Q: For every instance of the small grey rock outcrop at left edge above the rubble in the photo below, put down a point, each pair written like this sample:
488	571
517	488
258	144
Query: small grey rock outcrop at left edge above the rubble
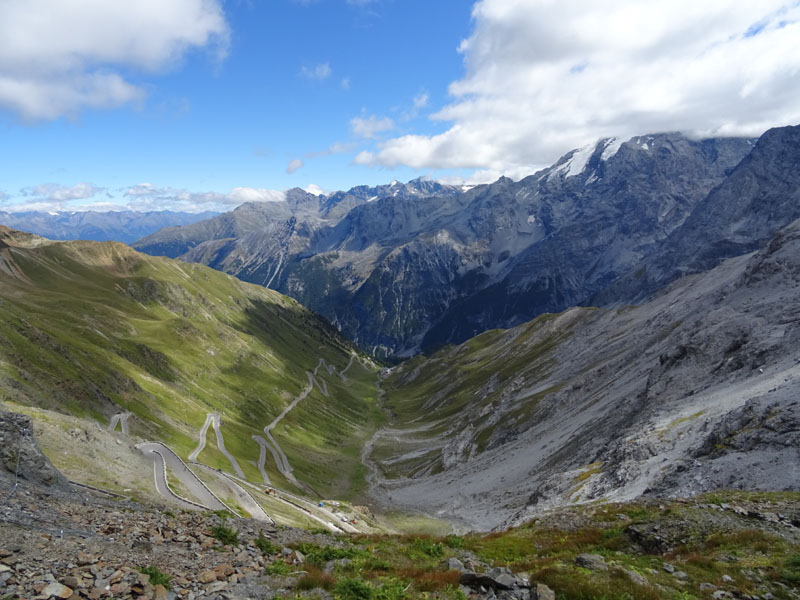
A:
19	454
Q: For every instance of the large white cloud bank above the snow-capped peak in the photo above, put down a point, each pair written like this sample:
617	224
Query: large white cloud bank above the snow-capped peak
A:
544	76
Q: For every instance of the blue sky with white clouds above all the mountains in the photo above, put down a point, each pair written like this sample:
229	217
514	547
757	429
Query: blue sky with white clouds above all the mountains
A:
205	104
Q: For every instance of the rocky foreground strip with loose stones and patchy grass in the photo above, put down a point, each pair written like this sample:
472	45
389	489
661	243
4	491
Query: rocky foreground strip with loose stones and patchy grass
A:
61	543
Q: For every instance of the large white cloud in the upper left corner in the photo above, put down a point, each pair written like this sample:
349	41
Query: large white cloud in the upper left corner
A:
59	57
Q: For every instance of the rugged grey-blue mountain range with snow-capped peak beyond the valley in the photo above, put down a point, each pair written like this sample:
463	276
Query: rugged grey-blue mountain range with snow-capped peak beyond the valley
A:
404	268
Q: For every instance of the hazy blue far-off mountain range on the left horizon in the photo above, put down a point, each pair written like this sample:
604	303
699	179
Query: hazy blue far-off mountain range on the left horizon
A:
119	226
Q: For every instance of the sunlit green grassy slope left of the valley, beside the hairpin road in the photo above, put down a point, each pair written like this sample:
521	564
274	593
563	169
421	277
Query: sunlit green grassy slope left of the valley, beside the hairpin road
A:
92	329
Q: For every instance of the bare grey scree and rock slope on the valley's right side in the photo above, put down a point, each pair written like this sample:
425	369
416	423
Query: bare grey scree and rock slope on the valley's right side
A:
694	390
